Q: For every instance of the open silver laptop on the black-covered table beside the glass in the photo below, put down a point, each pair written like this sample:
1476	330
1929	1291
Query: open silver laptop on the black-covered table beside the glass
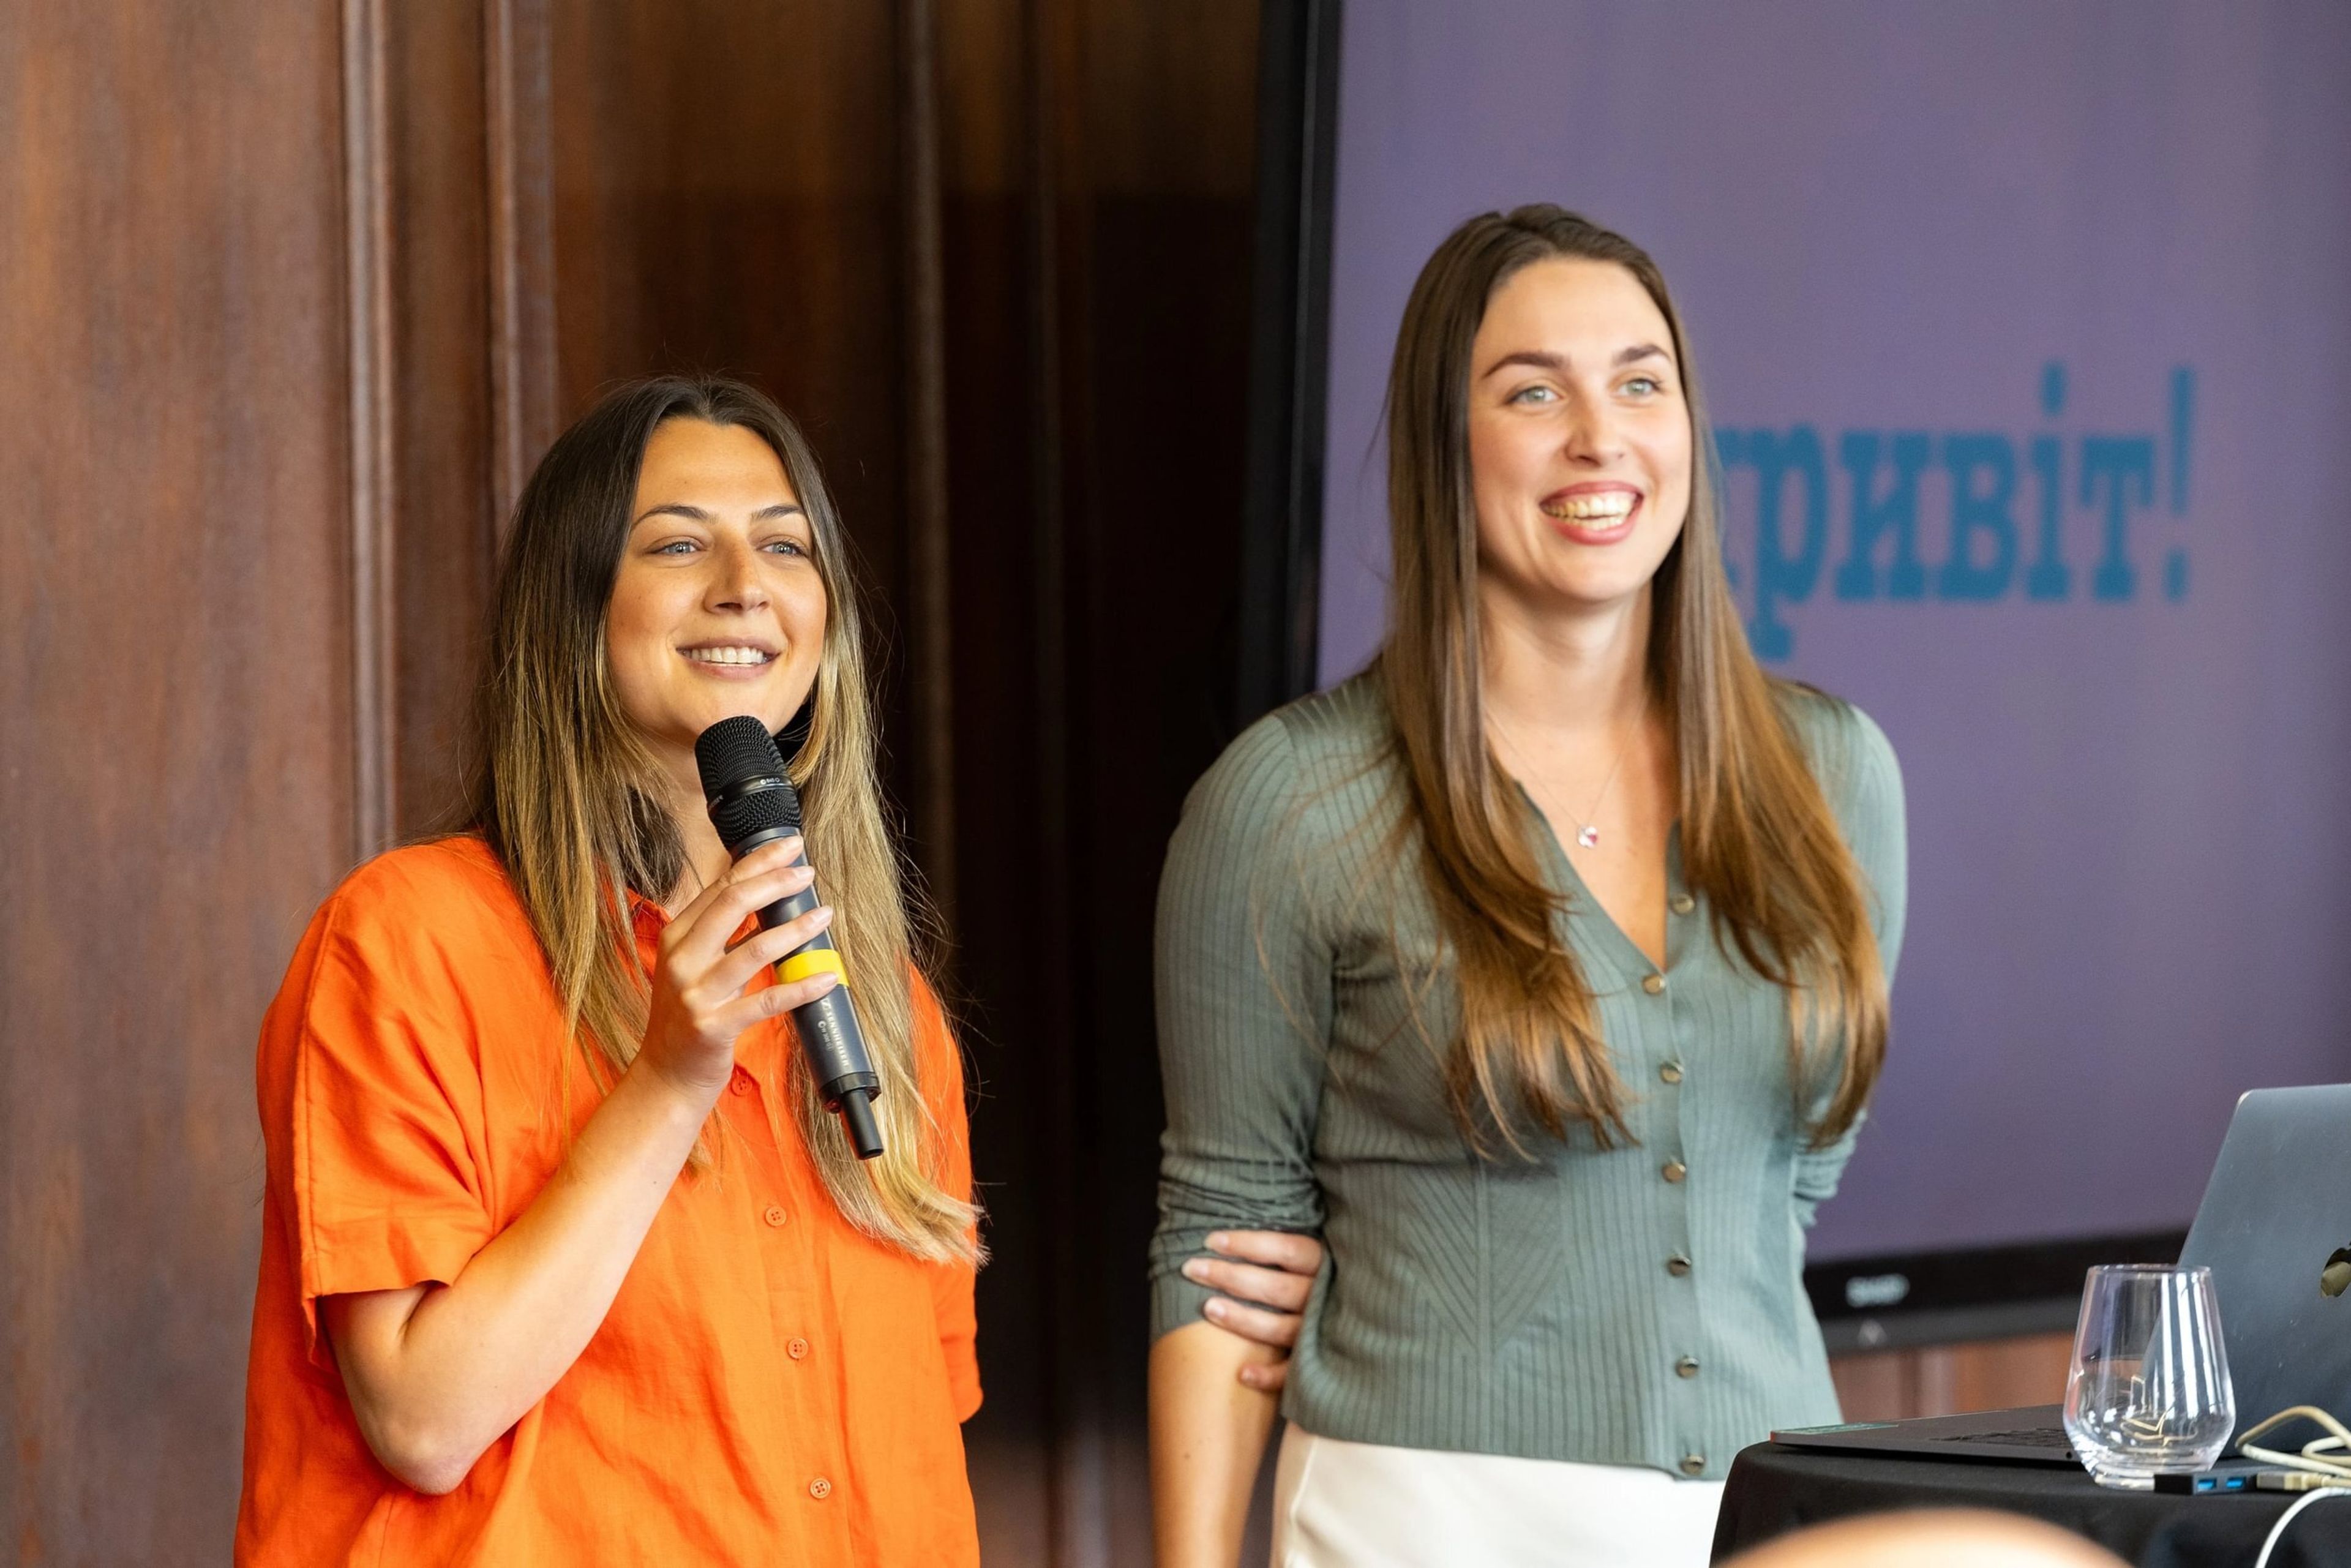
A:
2277	1233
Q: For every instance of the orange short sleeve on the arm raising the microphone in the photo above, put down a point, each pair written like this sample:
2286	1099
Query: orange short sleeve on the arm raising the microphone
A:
387	1108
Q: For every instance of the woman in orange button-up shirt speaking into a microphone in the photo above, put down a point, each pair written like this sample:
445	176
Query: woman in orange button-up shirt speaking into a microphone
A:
563	1261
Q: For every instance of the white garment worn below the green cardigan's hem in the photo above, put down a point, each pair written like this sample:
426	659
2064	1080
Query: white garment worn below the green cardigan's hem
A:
1365	1506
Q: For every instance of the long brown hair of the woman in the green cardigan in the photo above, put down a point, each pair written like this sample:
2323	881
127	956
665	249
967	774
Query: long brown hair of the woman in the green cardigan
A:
1757	836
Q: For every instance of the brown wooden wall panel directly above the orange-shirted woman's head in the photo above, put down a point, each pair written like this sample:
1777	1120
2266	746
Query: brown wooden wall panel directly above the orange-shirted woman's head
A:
730	196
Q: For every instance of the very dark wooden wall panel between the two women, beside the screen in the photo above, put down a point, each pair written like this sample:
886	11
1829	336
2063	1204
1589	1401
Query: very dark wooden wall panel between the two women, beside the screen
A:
1097	272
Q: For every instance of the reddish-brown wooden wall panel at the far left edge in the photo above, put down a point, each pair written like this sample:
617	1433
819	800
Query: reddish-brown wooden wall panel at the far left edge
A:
175	723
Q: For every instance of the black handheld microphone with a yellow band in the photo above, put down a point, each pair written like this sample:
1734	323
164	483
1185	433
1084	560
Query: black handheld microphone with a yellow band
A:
753	803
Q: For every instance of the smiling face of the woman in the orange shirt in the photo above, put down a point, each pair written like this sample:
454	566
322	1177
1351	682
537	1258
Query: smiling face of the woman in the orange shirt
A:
718	608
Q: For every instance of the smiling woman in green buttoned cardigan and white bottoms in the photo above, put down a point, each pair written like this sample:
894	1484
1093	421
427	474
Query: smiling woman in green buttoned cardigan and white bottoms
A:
1539	972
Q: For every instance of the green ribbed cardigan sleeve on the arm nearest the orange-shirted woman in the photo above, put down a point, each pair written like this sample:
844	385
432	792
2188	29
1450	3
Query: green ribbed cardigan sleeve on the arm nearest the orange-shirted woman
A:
1245	1014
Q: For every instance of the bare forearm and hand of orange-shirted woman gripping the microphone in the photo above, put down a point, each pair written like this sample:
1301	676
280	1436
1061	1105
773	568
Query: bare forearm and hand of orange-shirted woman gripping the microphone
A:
438	1372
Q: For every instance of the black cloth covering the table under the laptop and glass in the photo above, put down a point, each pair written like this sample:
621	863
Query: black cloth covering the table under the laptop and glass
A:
1779	1489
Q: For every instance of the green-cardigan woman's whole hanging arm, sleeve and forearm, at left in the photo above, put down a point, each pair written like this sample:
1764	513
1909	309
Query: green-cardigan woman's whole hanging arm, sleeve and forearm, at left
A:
1245	1014
